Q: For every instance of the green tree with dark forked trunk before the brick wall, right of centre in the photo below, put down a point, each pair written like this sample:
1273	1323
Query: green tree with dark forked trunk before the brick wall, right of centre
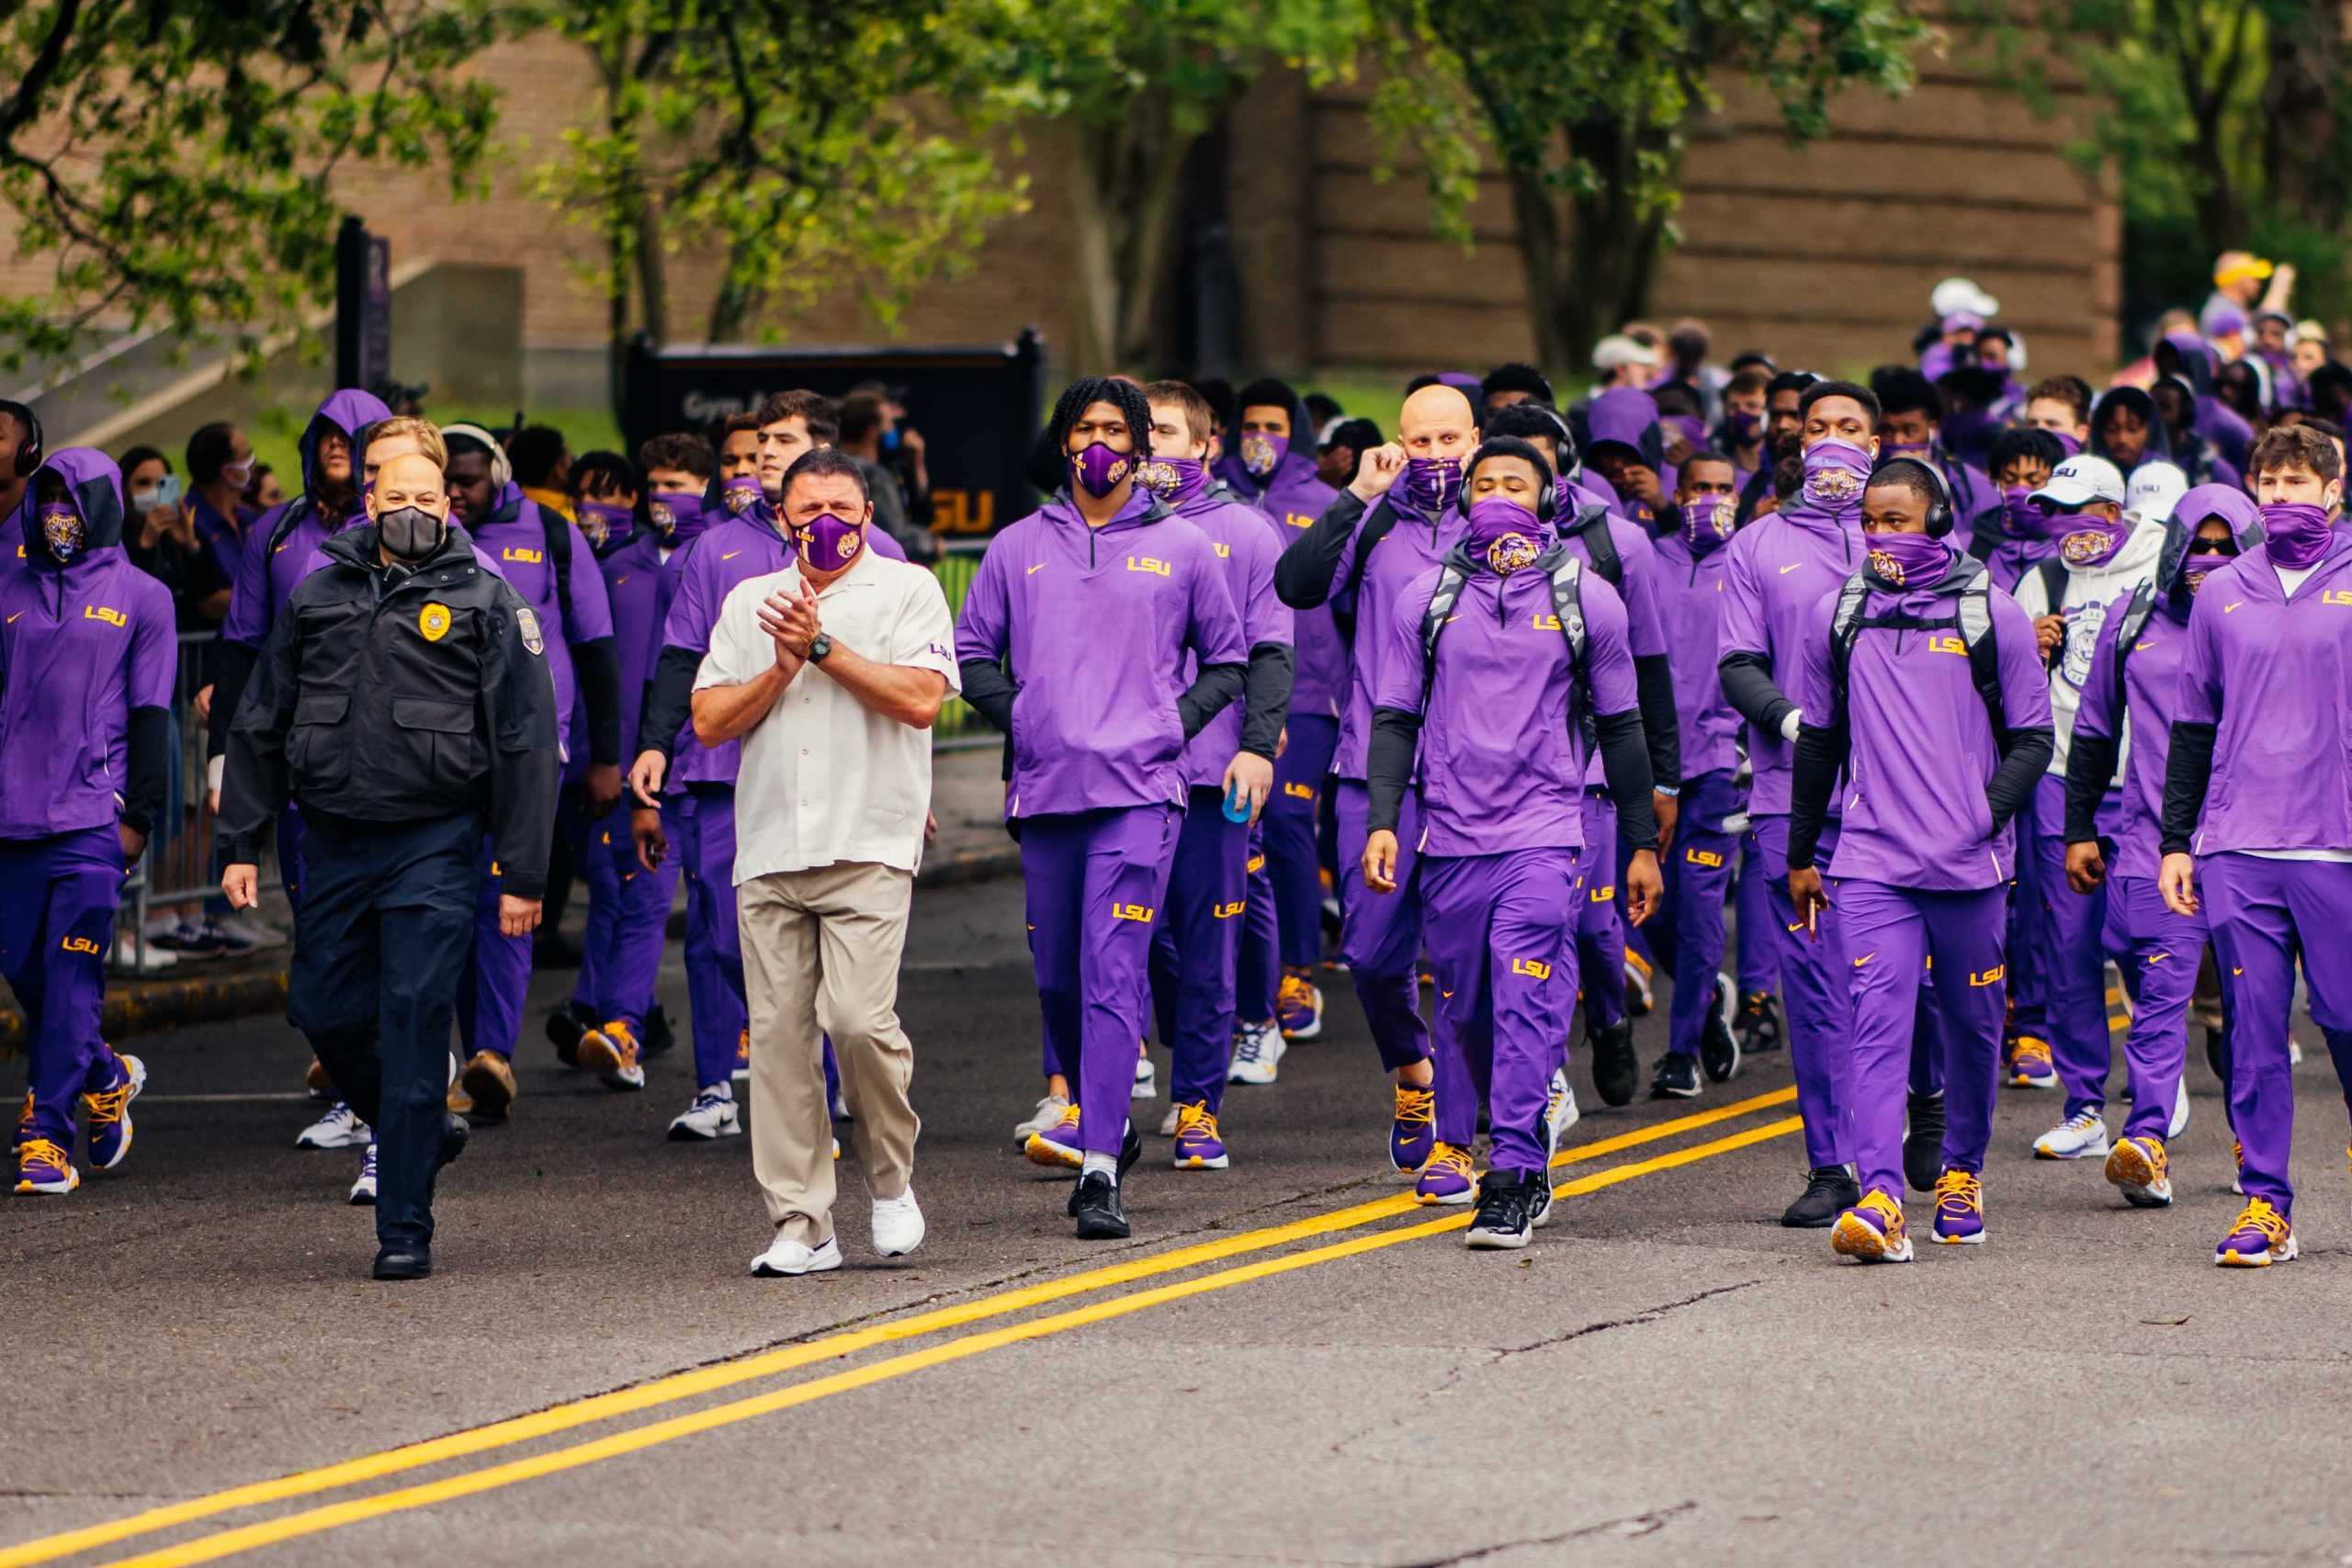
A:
1586	102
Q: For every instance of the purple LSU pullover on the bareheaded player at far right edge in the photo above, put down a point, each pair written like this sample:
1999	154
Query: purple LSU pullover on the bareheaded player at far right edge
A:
2276	681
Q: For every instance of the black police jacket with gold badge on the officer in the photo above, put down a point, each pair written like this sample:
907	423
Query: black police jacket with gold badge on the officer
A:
394	697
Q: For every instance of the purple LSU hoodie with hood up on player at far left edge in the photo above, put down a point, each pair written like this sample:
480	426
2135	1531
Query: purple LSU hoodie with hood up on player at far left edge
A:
81	648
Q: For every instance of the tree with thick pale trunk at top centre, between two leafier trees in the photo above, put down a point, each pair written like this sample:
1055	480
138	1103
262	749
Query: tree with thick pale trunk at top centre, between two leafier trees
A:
1142	86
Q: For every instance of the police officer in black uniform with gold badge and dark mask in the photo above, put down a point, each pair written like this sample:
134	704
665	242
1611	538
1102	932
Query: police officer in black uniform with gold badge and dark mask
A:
403	699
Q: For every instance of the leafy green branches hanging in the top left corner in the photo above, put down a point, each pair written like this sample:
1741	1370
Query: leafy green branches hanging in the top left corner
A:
173	159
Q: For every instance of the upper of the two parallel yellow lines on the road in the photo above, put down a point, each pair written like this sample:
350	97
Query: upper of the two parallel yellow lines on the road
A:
789	1358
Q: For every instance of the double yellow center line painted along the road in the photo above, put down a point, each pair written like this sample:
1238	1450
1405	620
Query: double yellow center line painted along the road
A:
831	1348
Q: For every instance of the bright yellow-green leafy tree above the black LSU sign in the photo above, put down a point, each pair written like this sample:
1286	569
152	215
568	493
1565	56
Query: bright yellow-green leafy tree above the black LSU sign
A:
803	145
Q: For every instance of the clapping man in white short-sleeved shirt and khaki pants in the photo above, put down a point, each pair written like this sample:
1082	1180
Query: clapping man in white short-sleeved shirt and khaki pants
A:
829	671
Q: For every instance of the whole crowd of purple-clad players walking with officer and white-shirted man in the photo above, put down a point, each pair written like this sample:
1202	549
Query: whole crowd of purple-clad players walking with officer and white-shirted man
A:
1887	723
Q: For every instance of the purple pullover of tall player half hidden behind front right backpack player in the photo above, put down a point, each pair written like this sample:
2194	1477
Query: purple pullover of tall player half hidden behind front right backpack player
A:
1777	572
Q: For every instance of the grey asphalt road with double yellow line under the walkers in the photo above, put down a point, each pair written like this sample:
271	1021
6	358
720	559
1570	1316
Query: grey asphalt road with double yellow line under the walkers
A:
1285	1365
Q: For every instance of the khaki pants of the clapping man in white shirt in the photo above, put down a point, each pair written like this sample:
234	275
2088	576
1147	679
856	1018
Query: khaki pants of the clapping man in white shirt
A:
822	956
